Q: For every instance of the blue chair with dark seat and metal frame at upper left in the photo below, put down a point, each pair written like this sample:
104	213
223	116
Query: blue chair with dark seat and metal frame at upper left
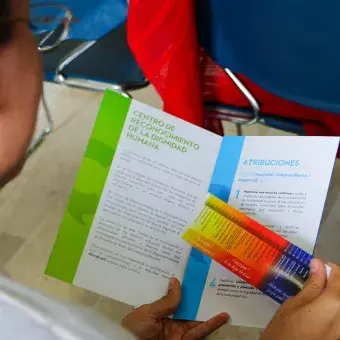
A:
84	45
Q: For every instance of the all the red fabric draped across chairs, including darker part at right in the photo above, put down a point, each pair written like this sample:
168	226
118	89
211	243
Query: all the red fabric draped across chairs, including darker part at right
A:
162	36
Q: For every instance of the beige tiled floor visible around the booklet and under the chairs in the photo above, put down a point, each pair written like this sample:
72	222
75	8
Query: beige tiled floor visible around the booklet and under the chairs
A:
32	206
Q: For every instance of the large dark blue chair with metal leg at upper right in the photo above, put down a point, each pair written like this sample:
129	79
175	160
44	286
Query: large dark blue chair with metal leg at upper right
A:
289	48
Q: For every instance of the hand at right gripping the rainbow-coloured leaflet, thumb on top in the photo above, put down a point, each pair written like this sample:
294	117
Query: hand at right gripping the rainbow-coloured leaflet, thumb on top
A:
314	314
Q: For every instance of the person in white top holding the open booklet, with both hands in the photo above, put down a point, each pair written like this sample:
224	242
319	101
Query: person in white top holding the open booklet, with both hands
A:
24	314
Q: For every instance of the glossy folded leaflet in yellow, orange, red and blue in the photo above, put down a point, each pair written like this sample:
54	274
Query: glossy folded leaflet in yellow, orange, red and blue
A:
250	250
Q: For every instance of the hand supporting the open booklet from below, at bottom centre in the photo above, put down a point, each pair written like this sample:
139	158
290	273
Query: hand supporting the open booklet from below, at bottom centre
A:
151	322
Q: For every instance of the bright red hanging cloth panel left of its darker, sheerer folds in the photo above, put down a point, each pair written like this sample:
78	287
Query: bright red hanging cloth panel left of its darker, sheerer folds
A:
162	36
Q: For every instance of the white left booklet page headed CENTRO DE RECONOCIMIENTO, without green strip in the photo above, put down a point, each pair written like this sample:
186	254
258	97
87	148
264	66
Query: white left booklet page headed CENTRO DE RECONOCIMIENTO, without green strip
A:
149	198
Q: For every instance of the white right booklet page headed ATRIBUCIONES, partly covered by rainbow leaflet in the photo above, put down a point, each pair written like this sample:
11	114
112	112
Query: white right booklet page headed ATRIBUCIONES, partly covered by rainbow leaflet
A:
288	199
